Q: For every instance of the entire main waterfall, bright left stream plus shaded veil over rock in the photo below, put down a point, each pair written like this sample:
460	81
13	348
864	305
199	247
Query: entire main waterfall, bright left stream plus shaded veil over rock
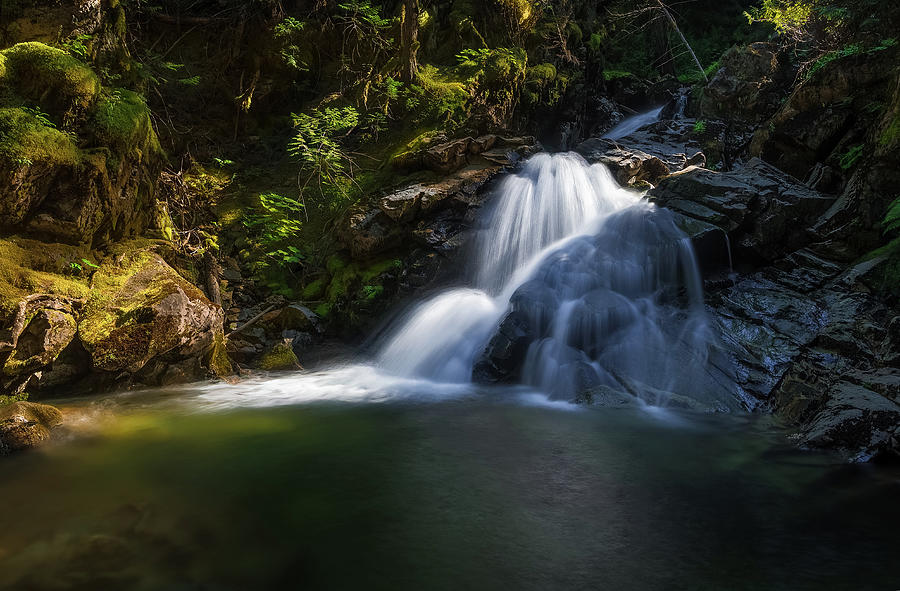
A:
601	288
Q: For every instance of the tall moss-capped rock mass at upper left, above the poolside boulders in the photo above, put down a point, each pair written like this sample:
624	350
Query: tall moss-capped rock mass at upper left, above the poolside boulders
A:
78	162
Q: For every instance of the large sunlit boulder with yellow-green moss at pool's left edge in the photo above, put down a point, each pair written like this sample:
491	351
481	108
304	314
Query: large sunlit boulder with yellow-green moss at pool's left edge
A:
141	310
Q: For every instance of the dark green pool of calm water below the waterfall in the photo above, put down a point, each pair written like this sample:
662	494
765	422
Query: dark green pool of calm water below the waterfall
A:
474	493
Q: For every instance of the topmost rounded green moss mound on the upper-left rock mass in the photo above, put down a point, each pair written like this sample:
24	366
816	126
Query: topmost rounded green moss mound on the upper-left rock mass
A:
51	78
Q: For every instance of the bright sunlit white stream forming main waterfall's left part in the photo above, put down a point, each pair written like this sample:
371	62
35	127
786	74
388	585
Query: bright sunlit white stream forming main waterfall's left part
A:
553	198
